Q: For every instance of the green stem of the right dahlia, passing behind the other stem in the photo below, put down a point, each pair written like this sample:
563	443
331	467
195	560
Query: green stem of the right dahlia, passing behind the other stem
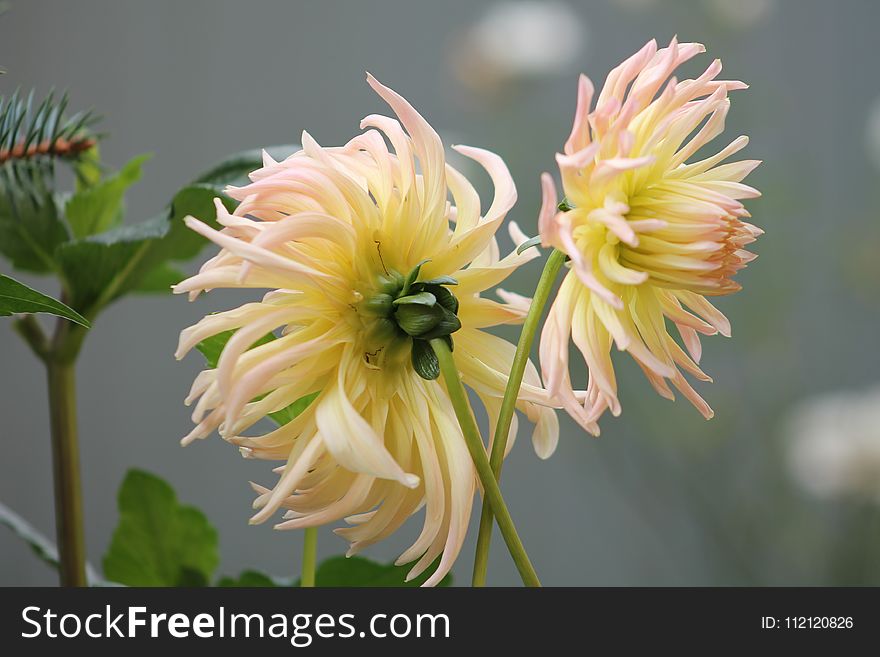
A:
508	405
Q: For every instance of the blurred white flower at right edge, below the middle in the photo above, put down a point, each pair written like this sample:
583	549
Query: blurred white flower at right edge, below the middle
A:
833	444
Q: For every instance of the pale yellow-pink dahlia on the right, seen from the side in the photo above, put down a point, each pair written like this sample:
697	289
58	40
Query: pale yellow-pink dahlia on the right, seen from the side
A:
649	235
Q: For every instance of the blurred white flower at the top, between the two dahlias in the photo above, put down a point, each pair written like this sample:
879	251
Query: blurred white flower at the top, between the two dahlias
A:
519	40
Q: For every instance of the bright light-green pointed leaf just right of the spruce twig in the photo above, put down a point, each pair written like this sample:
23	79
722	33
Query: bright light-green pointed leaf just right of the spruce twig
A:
100	207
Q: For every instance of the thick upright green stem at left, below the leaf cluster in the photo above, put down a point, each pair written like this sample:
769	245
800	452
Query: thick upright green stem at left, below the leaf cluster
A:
65	463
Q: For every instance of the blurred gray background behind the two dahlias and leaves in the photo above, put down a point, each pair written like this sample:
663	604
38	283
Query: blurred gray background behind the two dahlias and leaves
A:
663	497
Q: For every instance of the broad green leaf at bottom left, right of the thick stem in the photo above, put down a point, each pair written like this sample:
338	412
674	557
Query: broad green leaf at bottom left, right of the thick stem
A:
158	541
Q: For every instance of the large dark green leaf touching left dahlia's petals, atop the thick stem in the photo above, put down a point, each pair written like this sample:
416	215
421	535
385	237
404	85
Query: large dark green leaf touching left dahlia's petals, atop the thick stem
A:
103	267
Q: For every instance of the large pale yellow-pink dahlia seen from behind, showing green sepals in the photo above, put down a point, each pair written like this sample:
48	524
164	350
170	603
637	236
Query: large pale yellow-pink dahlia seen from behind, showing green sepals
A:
366	260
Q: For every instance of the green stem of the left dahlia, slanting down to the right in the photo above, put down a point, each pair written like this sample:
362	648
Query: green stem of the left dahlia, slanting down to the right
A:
491	490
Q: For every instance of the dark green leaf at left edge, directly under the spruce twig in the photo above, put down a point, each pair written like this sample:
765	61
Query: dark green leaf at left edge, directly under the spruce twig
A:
30	228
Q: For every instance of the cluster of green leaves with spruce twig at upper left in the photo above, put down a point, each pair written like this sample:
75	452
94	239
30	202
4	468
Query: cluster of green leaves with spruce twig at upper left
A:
82	239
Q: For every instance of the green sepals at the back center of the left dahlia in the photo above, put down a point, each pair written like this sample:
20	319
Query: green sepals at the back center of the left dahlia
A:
404	314
